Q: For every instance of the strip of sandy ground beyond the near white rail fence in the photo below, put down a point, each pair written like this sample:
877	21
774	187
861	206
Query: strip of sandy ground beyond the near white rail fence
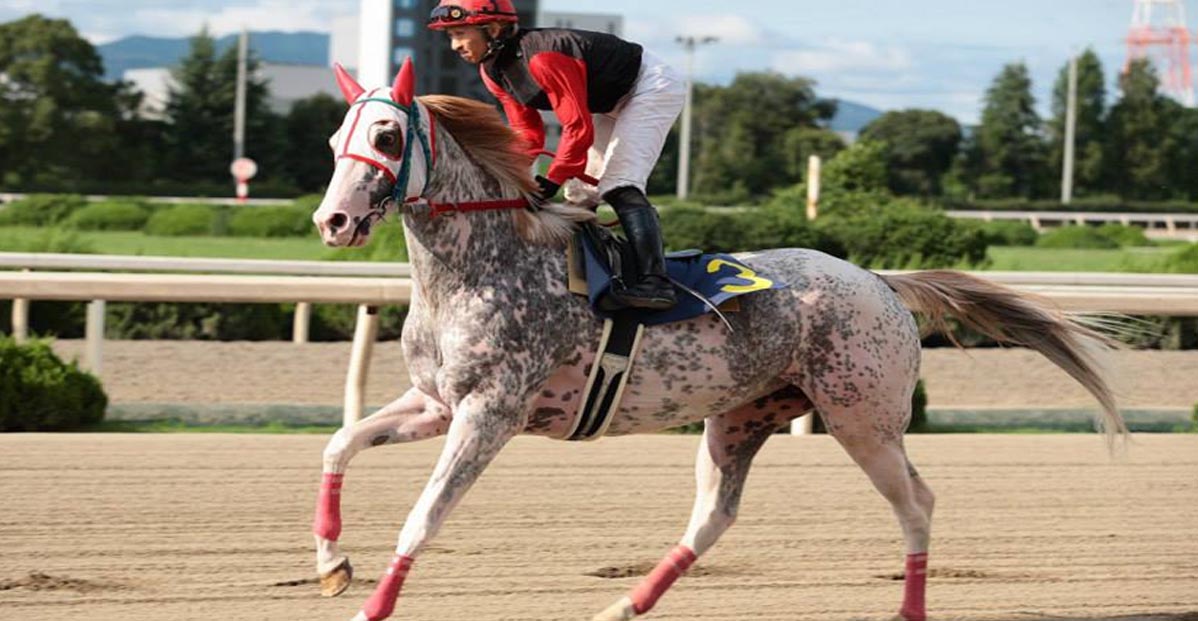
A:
314	375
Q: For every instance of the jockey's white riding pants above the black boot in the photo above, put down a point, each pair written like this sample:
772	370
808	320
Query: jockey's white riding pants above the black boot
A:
628	140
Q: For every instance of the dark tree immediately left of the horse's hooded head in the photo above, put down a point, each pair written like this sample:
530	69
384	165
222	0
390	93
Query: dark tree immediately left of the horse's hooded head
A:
308	126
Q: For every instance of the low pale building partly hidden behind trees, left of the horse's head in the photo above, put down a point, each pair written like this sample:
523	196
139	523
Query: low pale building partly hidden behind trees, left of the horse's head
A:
287	85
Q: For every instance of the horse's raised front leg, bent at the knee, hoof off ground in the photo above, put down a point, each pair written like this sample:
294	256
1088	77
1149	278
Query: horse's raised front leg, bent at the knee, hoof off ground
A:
414	417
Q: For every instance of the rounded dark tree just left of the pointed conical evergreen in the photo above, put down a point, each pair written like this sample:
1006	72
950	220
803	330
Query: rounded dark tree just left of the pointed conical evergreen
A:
921	147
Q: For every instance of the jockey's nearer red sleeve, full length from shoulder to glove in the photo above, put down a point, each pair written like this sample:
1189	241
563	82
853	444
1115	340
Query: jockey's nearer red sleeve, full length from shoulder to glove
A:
565	81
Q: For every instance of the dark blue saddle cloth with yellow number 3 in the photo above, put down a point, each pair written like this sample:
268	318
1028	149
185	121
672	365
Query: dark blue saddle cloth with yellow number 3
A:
717	278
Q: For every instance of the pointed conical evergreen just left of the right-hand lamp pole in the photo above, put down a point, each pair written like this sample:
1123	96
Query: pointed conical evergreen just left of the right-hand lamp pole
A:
1011	153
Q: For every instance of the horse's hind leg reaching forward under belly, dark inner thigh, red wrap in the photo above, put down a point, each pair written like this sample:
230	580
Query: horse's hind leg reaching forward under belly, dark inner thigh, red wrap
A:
730	443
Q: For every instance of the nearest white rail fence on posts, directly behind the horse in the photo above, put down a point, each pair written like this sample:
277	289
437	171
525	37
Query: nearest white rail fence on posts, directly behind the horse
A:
27	278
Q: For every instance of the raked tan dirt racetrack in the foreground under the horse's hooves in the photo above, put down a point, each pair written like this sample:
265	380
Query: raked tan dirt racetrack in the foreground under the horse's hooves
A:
216	528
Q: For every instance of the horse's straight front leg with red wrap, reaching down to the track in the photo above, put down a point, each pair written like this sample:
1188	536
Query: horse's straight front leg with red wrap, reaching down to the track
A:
482	426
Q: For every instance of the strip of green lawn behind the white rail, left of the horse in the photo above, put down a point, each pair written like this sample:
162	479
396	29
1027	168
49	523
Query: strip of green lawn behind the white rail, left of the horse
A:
135	243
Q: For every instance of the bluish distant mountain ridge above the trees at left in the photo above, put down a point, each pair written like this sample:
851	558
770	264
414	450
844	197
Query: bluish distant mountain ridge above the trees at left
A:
140	52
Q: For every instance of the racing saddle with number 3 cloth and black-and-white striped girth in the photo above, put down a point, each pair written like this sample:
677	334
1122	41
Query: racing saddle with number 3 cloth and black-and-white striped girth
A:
597	260
